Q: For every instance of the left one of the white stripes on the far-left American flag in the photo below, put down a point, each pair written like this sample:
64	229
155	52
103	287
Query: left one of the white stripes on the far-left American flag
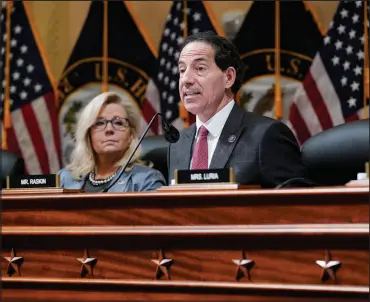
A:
21	132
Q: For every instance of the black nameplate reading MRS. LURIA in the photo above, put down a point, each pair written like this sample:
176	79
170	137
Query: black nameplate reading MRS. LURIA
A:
204	176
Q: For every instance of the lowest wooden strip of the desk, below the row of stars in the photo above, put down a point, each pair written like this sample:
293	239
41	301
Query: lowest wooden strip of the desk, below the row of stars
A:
75	290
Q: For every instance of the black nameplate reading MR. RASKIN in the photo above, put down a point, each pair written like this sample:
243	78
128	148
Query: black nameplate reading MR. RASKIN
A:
33	181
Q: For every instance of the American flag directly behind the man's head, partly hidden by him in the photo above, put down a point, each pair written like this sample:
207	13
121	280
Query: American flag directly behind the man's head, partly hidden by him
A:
198	18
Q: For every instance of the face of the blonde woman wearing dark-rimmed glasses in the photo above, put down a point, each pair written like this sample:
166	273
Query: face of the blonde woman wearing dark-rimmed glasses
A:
111	134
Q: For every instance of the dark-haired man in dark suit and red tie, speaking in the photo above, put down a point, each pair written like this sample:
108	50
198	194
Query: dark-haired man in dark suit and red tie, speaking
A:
261	150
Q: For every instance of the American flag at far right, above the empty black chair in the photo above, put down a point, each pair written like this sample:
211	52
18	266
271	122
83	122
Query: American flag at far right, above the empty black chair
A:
333	90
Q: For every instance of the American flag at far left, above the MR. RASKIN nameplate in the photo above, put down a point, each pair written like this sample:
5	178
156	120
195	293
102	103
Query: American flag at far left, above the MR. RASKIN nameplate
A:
34	132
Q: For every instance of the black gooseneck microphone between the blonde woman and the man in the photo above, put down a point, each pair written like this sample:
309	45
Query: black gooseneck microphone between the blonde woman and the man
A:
171	134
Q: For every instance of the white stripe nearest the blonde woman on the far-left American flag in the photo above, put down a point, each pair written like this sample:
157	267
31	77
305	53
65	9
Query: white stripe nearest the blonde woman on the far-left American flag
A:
43	118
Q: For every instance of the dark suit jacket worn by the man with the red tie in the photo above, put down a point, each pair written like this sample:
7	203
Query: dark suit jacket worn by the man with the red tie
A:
264	151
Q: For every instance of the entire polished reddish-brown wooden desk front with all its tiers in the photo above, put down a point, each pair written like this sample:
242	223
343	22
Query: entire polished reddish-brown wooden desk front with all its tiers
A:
284	232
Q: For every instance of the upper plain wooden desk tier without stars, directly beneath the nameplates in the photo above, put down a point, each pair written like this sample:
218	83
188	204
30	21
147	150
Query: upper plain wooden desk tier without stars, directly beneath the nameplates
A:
322	205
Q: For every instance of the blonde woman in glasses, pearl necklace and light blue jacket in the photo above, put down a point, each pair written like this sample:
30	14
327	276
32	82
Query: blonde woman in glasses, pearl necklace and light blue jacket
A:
105	136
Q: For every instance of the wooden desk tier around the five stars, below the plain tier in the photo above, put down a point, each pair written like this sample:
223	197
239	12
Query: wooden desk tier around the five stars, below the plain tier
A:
285	256
